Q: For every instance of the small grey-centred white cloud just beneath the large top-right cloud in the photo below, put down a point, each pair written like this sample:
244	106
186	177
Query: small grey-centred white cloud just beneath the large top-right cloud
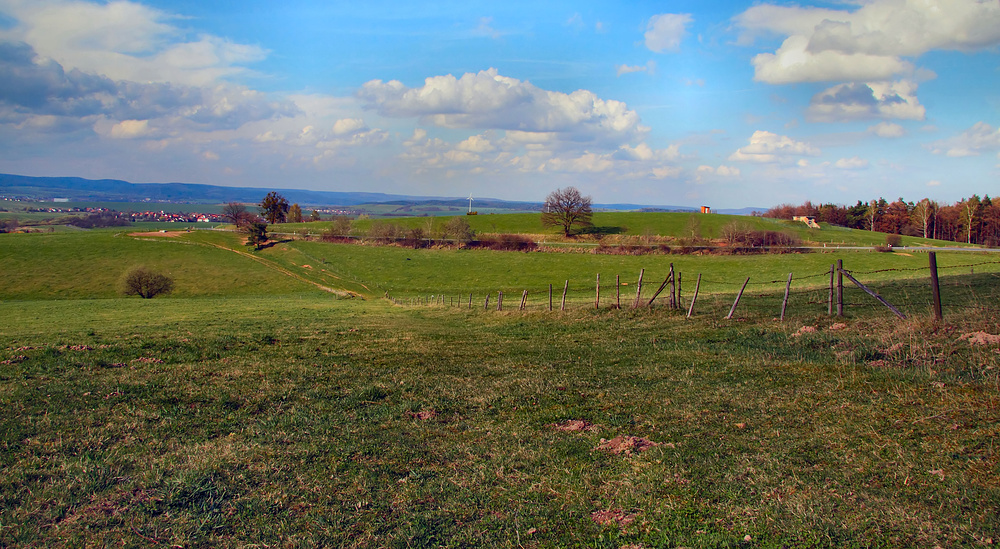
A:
844	102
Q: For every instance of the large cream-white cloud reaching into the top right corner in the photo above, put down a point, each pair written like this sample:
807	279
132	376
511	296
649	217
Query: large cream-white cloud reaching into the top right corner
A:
867	44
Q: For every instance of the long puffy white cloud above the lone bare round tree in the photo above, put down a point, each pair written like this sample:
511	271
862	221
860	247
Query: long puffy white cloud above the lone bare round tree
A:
489	100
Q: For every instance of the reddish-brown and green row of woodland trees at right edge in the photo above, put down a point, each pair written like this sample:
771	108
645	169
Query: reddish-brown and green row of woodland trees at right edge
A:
972	220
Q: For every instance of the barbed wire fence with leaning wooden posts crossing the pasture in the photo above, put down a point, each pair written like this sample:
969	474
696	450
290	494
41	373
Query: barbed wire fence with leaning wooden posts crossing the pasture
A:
961	287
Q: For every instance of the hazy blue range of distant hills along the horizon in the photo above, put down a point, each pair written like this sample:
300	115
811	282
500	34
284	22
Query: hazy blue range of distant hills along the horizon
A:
78	189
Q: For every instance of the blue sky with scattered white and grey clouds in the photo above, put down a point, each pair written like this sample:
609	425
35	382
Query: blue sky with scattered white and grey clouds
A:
725	103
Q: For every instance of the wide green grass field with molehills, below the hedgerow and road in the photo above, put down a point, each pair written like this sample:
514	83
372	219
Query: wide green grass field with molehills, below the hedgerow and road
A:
253	408
